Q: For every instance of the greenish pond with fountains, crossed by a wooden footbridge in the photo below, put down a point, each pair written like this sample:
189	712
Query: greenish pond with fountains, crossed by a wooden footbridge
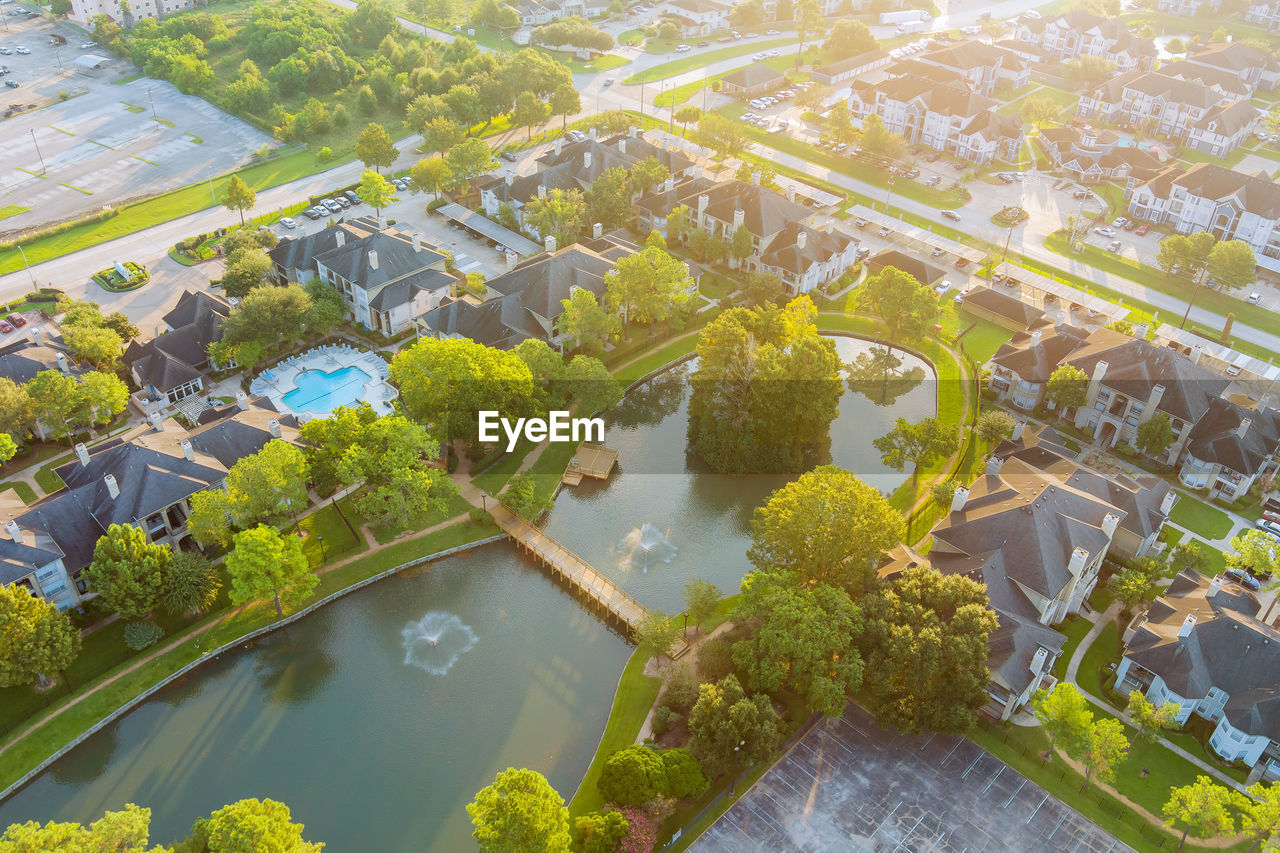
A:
378	718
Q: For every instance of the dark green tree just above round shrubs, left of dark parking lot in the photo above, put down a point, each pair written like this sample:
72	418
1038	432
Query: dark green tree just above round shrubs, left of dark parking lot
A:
730	731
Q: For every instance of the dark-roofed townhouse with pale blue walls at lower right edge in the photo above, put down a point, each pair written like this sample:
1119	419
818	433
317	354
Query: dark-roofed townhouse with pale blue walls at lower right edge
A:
1204	647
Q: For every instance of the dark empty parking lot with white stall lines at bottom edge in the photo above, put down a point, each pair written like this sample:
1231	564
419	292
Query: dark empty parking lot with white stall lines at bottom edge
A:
854	787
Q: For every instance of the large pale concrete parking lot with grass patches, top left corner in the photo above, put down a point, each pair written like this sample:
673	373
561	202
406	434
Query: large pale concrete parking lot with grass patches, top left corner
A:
102	145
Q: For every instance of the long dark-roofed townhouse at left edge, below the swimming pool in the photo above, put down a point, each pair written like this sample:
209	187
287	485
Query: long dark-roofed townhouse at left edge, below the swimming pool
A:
144	478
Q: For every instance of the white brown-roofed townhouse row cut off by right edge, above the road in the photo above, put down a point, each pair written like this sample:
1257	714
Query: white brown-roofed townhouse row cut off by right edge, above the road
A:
1228	204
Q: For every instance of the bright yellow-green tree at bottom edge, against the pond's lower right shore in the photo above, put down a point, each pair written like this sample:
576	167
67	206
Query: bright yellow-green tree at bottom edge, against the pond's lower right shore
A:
520	813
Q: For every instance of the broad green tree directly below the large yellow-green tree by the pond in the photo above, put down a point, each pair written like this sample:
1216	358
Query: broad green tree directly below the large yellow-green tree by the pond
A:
799	638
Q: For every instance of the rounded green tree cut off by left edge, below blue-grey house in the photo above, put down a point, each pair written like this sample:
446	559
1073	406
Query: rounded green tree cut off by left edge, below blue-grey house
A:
36	640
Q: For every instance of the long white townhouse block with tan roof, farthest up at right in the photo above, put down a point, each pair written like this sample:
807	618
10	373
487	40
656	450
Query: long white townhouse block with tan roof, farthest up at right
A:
1187	111
